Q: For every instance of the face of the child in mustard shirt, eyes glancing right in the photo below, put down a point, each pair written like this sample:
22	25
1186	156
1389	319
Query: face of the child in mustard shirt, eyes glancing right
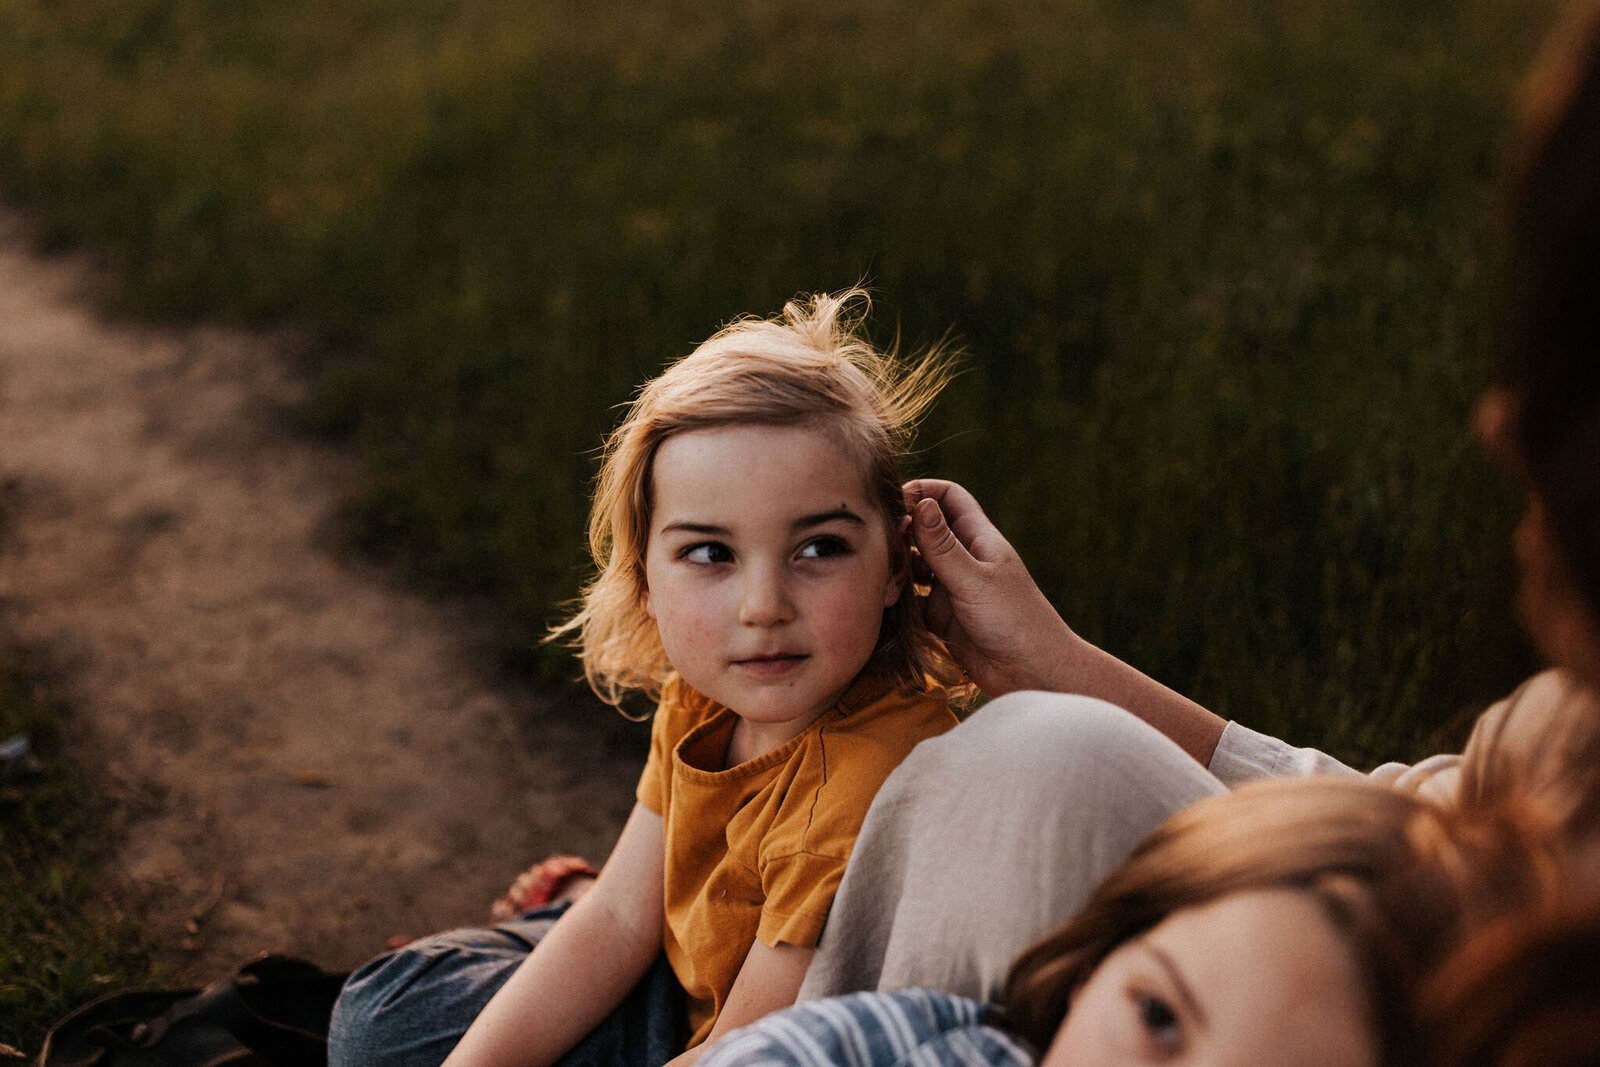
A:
769	570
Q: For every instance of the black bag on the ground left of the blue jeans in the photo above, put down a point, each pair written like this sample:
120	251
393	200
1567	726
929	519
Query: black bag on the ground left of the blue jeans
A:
271	1013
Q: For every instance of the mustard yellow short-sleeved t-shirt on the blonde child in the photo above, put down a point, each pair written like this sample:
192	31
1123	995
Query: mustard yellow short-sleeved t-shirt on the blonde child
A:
758	850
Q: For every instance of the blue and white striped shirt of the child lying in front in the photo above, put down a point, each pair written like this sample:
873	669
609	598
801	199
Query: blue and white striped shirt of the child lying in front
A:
911	1028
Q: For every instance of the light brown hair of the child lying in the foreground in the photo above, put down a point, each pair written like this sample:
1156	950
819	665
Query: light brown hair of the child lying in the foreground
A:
1398	876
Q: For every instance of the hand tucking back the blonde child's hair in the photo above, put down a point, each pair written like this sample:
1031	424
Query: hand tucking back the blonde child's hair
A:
983	602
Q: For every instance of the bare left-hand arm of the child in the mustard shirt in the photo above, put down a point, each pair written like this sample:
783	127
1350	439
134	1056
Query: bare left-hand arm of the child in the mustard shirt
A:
585	965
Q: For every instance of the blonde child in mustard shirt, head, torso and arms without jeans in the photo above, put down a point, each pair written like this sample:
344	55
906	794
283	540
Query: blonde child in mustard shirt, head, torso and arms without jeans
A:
754	577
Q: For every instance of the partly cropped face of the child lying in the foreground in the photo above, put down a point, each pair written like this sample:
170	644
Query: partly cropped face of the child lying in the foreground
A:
1254	978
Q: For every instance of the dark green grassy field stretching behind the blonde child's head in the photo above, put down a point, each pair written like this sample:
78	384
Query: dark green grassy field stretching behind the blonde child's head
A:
1218	265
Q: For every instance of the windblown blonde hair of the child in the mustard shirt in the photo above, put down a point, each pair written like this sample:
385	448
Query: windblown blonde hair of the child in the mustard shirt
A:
810	366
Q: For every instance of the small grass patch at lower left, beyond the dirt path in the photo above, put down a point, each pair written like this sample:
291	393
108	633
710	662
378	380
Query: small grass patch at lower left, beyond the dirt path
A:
62	938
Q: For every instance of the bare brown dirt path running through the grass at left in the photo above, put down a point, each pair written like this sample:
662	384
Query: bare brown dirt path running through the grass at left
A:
306	757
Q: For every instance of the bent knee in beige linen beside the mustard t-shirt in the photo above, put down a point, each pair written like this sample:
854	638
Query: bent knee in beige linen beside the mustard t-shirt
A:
991	836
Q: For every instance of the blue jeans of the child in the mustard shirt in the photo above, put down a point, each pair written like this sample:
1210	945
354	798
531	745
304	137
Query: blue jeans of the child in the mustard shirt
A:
410	1007
